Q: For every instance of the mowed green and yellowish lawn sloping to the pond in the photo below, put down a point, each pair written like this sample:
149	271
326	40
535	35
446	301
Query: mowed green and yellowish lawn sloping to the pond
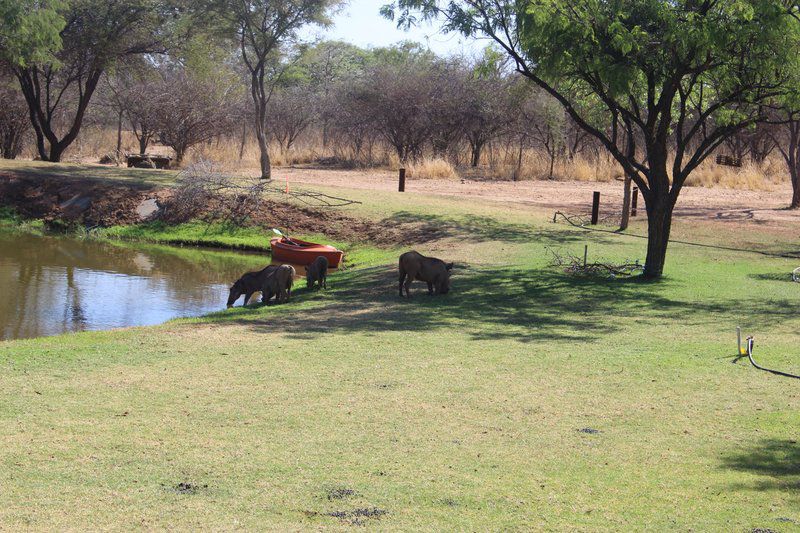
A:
524	399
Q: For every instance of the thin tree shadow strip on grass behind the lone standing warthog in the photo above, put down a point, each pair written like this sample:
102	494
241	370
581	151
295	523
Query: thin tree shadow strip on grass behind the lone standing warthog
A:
482	228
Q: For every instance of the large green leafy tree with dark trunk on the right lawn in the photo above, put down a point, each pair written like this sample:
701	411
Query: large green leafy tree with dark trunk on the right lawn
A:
681	75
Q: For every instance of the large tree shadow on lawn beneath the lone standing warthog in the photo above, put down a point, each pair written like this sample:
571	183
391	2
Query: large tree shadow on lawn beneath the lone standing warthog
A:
499	303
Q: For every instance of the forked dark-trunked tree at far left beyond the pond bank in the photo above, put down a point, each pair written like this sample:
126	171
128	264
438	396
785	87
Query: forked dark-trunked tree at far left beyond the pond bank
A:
59	80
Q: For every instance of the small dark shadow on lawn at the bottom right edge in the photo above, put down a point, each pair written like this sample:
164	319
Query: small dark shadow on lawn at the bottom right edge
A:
778	461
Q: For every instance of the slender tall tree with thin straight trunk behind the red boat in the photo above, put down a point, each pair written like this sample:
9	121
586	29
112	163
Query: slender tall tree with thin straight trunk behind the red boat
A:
264	29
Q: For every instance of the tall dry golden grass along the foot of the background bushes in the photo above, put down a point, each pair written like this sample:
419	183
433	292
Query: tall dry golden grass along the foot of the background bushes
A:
498	162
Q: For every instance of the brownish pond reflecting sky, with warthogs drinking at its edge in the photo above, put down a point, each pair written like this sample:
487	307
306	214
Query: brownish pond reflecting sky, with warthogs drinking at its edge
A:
51	285
